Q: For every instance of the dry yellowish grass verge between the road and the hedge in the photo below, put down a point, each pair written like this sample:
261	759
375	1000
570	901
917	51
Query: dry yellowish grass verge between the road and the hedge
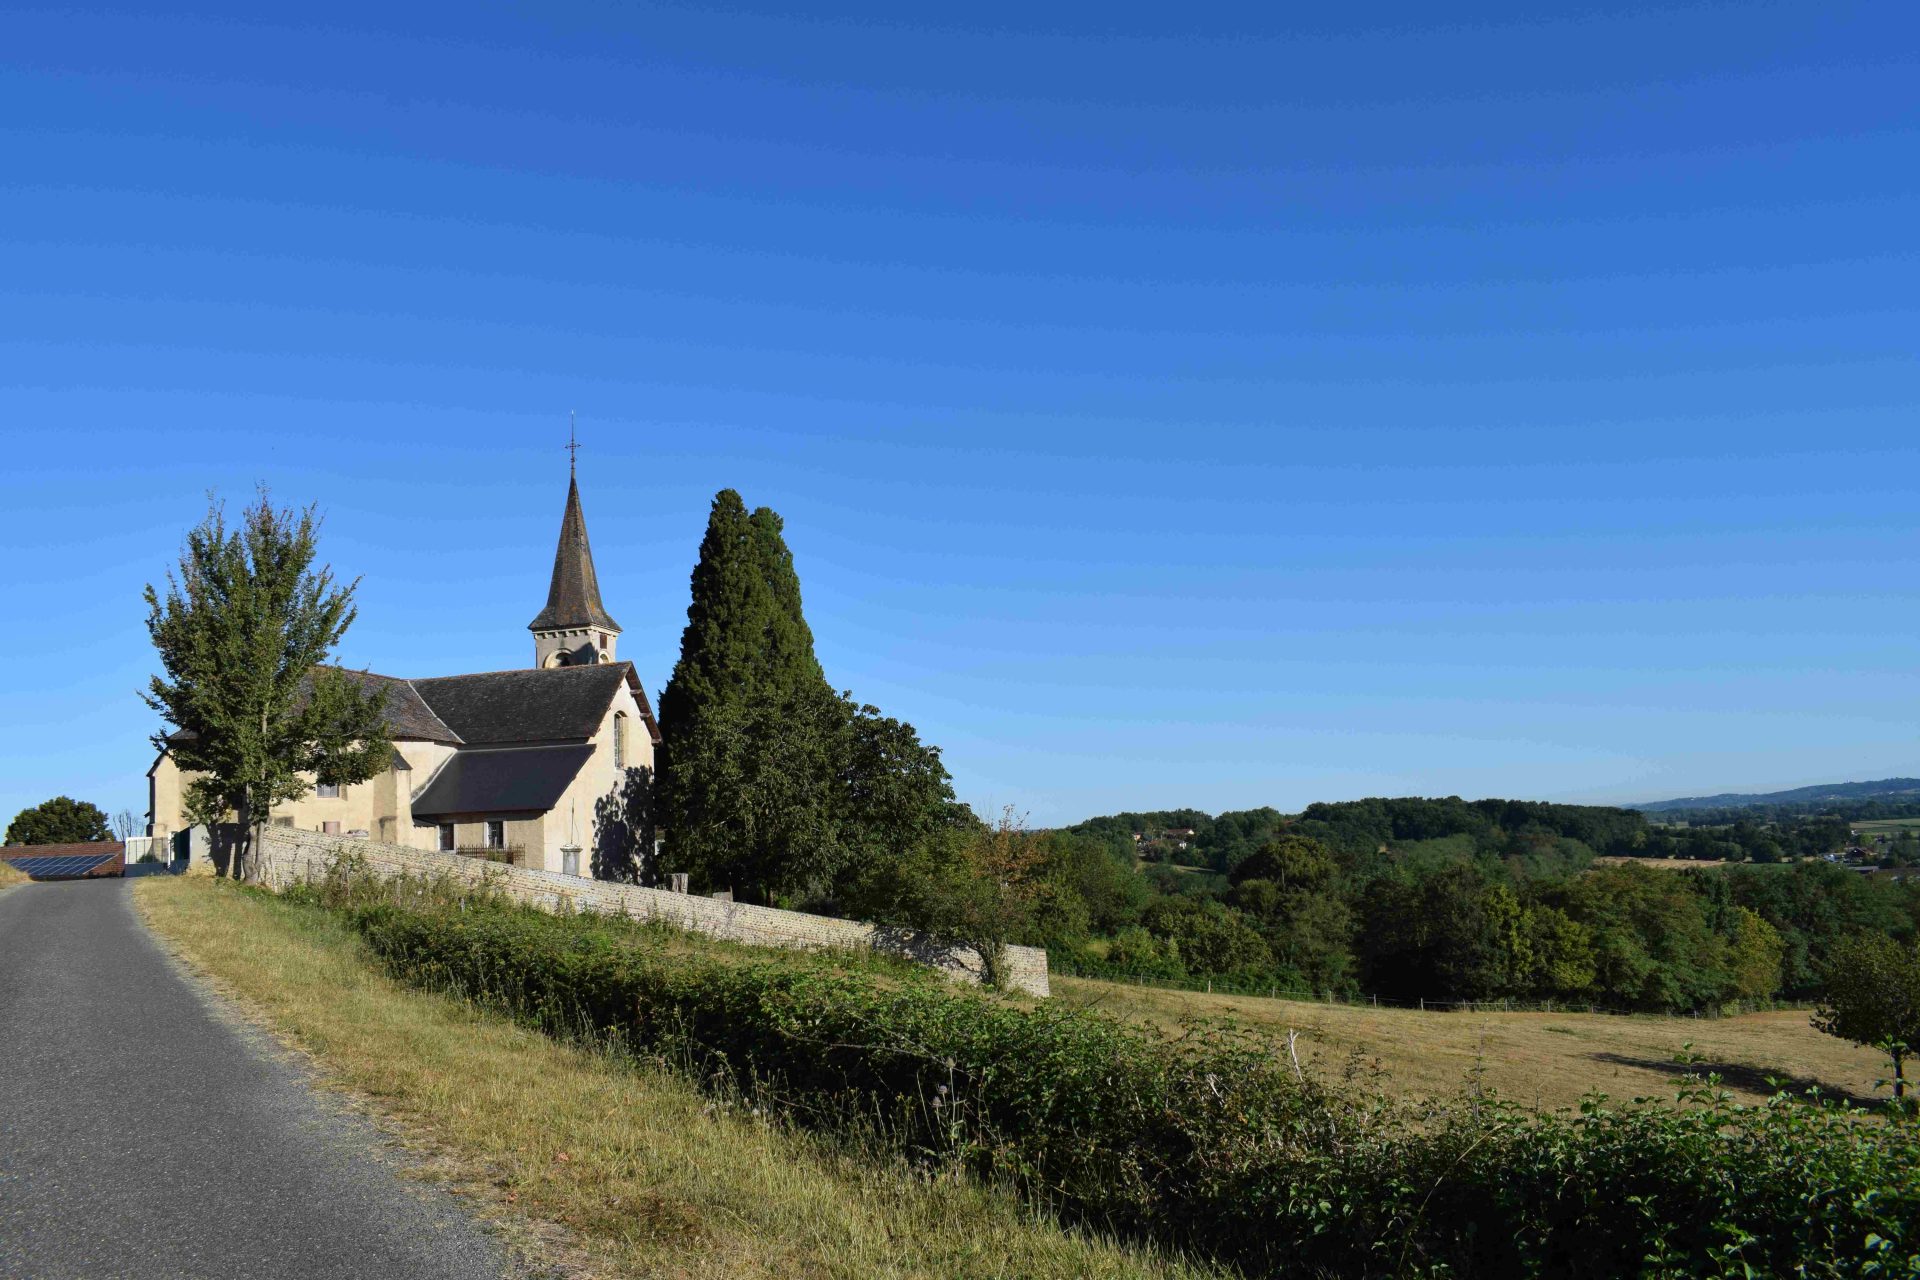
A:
598	1168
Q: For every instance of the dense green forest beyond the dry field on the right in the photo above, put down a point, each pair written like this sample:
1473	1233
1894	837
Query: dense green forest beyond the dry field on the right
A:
1447	899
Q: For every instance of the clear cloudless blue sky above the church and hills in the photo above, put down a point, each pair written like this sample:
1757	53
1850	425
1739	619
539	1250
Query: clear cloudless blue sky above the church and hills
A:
1209	406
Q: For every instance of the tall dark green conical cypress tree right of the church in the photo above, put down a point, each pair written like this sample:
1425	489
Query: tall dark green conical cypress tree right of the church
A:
748	721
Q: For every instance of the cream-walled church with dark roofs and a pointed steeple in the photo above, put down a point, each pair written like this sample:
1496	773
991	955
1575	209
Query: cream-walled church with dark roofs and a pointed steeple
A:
539	767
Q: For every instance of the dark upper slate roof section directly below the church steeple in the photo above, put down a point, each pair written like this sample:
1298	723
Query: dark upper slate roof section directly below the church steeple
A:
529	705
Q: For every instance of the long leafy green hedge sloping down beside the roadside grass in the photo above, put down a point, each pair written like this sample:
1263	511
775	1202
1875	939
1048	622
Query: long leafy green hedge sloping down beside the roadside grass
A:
1209	1143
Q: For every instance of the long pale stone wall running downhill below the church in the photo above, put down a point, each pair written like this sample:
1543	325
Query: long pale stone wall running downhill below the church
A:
291	857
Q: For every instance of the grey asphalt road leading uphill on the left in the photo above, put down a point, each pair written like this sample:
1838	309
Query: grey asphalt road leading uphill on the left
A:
143	1135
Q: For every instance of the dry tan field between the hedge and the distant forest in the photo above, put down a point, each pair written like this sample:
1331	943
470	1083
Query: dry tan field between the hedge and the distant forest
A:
1543	1060
